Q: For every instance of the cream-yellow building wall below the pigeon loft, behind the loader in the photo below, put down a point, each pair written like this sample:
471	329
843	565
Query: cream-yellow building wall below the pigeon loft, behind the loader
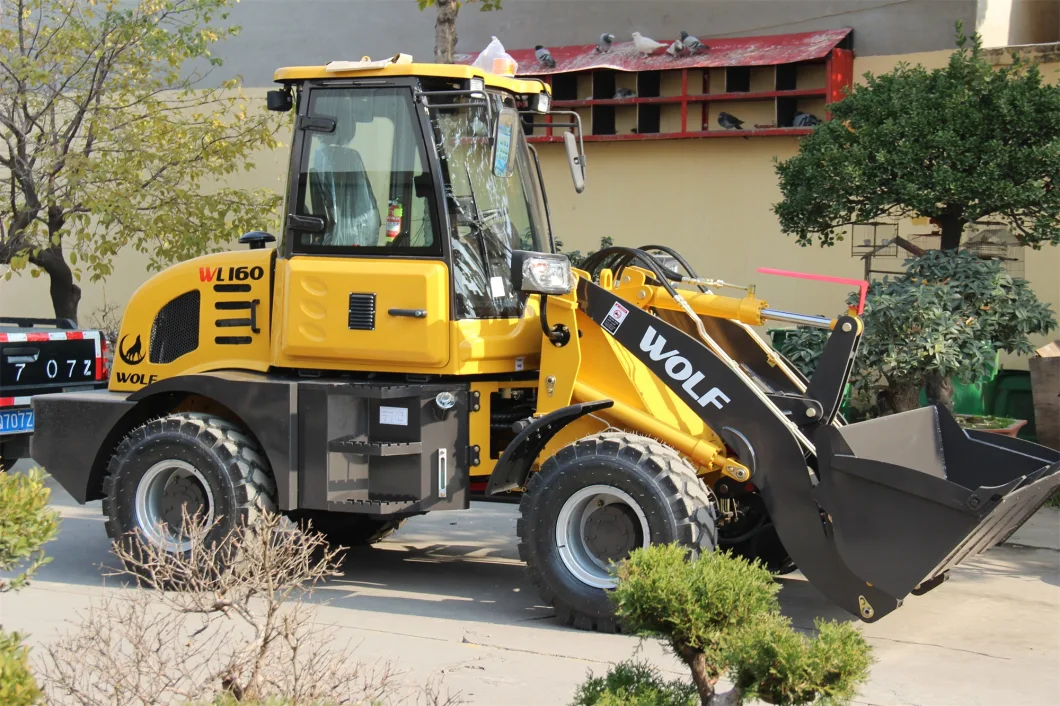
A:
710	199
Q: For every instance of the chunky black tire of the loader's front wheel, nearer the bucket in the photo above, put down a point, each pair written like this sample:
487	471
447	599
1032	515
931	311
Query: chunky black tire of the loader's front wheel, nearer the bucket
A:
687	496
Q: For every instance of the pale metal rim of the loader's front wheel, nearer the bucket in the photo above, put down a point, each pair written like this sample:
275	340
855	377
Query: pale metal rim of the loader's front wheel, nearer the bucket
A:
598	525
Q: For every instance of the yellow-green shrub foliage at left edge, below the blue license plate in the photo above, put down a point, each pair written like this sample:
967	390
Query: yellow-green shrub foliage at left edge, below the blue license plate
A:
26	524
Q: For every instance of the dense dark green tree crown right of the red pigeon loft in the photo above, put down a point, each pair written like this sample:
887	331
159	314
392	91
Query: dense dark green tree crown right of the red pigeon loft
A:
956	145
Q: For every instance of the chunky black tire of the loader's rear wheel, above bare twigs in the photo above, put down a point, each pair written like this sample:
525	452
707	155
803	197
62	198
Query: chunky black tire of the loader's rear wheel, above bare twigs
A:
244	462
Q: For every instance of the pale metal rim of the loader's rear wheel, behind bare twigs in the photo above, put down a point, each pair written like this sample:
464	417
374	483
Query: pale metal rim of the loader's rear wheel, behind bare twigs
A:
165	491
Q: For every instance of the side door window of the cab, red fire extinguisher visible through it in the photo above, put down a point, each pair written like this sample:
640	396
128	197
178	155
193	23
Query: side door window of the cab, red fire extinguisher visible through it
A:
367	179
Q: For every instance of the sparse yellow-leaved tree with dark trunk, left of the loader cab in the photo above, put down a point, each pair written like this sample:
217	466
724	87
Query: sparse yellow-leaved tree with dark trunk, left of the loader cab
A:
109	138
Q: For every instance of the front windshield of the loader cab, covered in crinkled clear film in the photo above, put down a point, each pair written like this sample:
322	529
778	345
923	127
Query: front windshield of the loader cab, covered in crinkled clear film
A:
491	216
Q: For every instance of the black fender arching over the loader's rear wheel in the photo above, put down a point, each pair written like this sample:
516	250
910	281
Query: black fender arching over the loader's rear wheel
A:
268	407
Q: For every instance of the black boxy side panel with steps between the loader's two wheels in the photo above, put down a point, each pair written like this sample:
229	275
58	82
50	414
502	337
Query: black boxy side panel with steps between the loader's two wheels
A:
383	450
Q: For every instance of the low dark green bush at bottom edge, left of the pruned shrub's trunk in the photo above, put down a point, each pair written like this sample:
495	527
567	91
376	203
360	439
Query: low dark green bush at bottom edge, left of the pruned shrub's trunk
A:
634	684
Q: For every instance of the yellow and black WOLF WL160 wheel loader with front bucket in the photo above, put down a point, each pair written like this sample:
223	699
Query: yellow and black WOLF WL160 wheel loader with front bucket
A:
414	343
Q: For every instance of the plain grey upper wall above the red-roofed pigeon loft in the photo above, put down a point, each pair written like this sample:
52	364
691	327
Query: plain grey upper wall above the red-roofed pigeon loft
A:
299	32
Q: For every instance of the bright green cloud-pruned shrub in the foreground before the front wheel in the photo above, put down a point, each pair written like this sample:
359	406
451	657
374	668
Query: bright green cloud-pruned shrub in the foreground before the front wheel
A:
721	617
